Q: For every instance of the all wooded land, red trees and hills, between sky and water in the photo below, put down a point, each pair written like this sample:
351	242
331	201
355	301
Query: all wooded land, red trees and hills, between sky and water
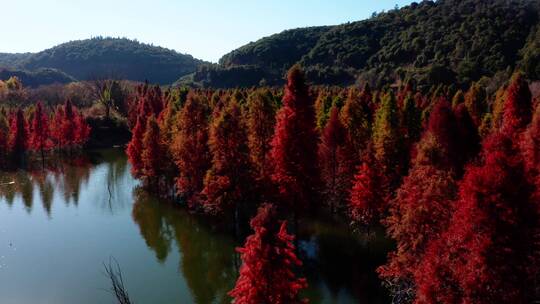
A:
422	121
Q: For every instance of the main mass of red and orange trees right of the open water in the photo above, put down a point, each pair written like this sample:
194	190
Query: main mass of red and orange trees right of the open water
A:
452	175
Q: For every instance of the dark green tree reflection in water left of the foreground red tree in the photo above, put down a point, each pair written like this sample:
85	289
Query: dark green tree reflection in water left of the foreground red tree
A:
208	260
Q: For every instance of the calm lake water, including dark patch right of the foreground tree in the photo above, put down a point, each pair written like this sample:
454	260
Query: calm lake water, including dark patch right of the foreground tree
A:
57	229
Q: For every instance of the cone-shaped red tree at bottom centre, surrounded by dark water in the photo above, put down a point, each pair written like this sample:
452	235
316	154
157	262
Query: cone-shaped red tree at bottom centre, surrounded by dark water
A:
268	262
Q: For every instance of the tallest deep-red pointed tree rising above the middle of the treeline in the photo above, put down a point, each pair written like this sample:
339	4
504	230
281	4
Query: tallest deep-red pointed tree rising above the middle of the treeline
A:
294	145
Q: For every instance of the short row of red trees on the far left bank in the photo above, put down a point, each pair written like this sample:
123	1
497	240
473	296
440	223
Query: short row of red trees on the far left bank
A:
37	133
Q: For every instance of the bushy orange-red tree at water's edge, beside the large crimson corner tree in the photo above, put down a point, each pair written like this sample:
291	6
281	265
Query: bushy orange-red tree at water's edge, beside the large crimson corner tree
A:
419	213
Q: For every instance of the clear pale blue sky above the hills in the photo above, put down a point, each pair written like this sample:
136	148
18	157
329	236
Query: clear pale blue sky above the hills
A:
206	29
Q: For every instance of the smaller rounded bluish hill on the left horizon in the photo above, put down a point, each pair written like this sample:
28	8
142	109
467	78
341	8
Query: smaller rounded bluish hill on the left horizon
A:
108	57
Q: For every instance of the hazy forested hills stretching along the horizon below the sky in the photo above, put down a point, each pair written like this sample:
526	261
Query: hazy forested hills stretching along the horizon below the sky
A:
446	41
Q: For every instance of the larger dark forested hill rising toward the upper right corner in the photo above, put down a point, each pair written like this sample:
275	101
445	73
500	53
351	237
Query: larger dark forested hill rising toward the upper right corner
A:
447	41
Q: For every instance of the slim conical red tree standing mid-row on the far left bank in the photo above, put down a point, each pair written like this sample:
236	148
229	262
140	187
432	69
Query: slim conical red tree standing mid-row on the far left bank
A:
40	135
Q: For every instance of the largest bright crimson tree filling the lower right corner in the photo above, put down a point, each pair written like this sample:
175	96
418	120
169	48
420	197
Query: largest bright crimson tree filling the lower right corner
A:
487	254
